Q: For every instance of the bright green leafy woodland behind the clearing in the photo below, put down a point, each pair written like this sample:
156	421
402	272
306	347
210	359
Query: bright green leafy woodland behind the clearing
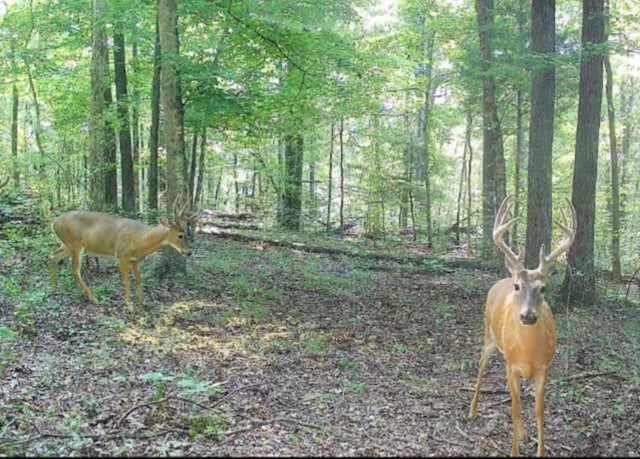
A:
332	116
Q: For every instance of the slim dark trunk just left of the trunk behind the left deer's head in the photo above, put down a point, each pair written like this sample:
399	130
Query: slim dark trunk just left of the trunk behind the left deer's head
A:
152	173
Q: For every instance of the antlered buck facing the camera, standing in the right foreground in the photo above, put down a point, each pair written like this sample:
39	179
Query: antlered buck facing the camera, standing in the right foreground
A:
519	322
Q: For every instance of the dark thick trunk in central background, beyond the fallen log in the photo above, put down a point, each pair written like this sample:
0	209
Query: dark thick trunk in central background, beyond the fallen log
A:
292	208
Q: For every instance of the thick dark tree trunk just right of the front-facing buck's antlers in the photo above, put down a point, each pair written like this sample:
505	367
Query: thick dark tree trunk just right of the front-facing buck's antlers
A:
580	280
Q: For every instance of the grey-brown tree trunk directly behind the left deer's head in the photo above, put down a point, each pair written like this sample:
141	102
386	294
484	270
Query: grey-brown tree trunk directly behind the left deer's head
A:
174	119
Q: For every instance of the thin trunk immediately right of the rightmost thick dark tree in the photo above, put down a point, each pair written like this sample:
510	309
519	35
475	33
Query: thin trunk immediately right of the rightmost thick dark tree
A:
616	268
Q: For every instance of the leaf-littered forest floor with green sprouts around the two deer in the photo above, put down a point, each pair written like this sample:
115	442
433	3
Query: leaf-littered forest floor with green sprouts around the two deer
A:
264	350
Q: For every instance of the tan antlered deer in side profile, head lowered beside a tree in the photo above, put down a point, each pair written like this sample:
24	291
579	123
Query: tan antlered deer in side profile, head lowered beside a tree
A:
129	241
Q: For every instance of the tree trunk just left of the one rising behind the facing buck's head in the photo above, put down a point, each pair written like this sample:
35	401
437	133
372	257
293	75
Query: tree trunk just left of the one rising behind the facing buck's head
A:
493	167
